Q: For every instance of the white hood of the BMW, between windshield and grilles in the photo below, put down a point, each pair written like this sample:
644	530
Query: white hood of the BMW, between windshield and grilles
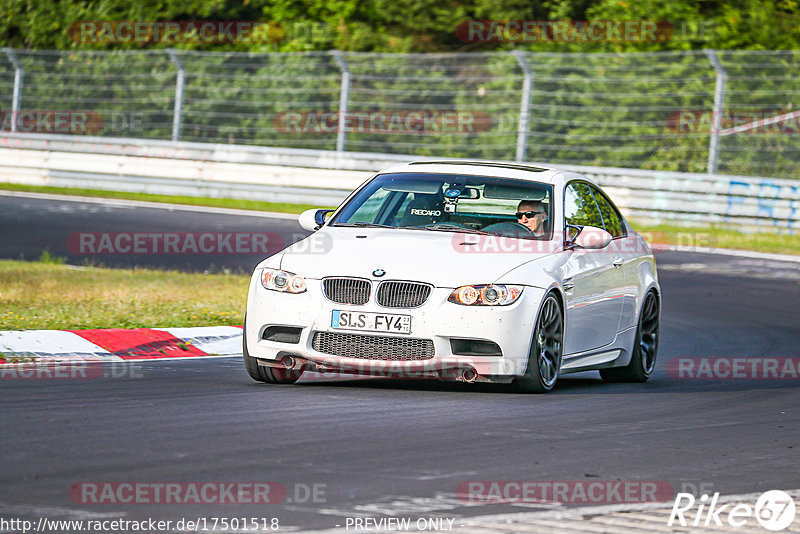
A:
443	259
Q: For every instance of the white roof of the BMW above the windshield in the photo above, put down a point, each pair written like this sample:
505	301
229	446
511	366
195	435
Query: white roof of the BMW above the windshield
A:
498	169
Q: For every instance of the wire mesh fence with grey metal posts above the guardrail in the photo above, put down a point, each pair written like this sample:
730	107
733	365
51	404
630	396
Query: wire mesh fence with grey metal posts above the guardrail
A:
731	112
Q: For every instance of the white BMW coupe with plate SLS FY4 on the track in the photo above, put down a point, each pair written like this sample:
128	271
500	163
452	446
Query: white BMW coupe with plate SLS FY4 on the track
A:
459	270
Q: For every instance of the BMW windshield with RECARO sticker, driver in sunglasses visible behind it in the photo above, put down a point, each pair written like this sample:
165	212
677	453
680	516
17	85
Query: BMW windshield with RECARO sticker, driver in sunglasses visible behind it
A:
452	203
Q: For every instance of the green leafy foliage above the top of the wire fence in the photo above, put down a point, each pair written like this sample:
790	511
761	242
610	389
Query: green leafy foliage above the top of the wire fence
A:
413	25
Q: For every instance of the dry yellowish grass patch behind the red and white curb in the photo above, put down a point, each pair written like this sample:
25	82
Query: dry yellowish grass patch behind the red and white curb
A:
53	296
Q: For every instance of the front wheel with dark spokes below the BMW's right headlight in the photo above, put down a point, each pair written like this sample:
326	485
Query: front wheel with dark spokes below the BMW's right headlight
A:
544	356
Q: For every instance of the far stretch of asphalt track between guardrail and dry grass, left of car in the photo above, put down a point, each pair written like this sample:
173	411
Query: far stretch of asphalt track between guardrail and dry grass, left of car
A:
30	225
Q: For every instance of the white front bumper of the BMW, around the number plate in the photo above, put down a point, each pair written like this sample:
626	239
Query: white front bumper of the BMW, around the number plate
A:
438	320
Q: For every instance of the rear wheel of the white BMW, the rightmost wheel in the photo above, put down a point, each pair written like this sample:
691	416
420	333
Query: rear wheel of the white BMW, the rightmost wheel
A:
645	346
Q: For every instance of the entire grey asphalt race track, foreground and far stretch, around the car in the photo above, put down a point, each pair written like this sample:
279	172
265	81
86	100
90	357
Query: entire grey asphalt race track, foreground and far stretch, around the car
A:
399	447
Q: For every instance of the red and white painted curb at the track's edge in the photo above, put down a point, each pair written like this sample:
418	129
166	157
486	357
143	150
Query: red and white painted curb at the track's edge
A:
119	344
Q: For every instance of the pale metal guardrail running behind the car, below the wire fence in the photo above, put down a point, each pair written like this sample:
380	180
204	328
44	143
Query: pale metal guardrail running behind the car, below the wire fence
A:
325	177
